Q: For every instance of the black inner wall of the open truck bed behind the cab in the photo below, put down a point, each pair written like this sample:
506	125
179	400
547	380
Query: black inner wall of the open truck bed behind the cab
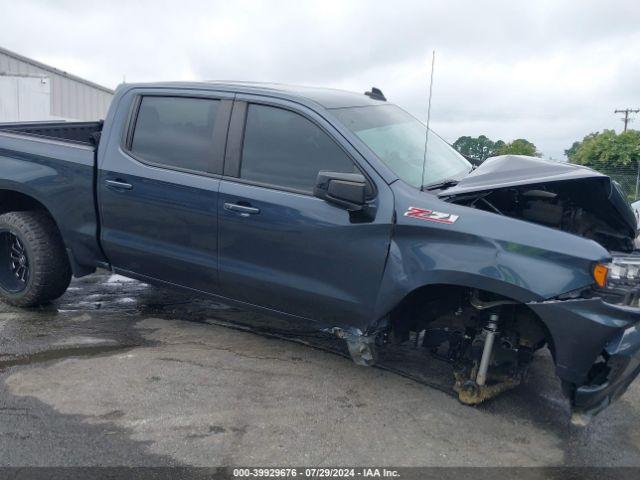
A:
86	133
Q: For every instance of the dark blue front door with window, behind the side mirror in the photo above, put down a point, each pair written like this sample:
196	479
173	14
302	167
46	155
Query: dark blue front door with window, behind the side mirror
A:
279	246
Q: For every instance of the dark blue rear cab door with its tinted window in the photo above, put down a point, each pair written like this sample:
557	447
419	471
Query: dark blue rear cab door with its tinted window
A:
158	187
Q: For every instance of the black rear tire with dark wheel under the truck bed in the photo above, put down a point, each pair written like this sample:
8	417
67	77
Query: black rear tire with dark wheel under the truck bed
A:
34	268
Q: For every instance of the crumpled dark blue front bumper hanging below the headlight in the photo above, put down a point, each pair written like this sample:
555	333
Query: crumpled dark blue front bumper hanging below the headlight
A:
596	347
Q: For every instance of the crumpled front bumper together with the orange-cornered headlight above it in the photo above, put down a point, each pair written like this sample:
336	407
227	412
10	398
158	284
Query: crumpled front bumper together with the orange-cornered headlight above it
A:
596	336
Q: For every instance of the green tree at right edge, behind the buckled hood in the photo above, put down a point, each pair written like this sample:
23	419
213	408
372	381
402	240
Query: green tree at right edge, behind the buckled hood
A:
608	151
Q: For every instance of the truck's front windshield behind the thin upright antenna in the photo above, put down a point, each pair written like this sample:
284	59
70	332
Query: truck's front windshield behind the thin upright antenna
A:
398	140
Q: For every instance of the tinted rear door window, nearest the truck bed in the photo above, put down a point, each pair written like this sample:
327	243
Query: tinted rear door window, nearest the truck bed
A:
175	132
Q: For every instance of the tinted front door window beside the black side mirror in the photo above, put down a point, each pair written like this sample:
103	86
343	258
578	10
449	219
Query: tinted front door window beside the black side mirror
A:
284	149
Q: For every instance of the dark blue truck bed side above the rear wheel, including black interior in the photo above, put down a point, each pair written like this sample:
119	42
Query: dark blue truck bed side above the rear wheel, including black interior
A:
53	163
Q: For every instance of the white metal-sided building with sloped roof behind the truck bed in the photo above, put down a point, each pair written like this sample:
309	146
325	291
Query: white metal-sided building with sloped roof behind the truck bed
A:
30	91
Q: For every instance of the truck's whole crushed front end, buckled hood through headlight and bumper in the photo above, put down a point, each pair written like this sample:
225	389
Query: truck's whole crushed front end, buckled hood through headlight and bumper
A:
593	332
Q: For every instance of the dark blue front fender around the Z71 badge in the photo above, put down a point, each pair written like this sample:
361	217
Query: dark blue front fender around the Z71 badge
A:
517	259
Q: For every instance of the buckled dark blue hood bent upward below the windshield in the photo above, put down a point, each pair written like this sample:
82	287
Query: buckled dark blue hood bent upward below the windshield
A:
602	197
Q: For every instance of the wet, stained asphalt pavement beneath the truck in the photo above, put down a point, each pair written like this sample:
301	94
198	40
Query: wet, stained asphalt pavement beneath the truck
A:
120	373
